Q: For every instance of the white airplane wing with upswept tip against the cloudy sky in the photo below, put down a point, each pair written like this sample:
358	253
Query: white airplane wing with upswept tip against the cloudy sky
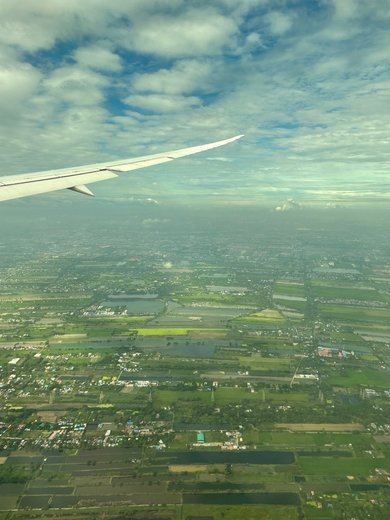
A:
23	185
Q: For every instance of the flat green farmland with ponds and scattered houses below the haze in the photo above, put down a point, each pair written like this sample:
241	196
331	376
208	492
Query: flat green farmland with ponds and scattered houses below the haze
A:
203	385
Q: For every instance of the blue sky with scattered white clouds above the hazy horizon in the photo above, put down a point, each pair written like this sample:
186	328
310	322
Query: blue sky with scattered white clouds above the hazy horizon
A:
307	82
